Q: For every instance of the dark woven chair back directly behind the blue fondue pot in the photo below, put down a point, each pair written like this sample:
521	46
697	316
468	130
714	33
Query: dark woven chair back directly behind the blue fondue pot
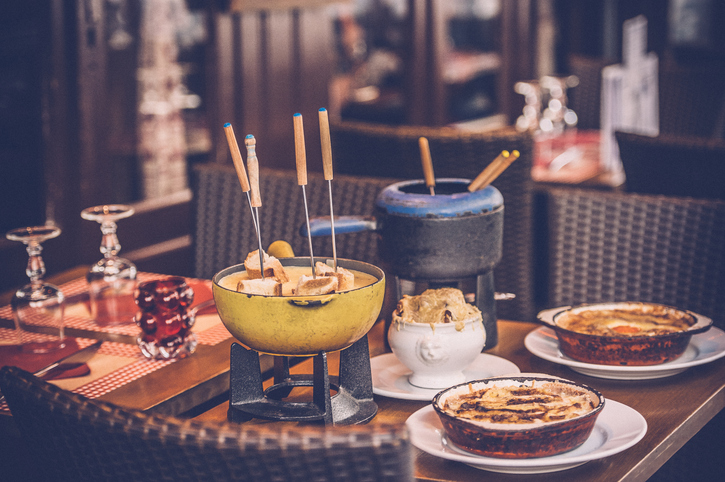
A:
378	150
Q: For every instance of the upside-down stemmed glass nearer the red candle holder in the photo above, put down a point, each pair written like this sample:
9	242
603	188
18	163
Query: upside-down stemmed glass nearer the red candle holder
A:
112	280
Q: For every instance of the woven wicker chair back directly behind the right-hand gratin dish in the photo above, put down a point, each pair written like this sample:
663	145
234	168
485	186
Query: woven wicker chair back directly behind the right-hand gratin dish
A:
610	246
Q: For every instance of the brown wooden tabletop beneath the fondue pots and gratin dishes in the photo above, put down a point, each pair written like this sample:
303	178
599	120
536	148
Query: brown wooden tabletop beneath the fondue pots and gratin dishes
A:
675	407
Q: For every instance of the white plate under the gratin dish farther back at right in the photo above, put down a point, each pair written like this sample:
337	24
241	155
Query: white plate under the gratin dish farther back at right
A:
703	348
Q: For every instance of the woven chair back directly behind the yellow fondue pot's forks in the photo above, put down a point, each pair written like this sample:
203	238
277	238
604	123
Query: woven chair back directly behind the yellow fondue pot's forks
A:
224	231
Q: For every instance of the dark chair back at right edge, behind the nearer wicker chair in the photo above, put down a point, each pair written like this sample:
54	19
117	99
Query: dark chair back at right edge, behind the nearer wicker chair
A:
673	166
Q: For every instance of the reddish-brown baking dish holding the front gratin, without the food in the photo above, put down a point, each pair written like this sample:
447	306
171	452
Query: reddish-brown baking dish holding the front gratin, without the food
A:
517	440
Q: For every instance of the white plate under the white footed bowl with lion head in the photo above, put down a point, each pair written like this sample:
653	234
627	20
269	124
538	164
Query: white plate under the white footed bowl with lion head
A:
390	377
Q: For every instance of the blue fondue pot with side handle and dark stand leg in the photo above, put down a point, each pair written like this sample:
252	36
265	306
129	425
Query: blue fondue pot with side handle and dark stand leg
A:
453	238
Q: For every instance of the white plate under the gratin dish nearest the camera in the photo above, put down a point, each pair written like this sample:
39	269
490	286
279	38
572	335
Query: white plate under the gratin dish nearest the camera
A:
617	428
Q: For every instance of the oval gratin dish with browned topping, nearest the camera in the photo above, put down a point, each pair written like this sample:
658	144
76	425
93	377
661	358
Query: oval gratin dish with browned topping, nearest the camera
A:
518	417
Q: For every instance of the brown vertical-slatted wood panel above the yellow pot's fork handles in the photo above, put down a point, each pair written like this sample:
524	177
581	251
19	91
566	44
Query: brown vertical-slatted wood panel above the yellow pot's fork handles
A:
272	64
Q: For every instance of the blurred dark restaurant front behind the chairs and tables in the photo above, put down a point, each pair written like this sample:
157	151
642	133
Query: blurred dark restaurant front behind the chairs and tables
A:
114	101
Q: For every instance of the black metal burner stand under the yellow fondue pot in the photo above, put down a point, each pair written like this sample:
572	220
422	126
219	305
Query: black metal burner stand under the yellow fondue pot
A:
352	404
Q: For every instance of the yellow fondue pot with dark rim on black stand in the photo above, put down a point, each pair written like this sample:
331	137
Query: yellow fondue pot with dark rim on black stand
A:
300	325
